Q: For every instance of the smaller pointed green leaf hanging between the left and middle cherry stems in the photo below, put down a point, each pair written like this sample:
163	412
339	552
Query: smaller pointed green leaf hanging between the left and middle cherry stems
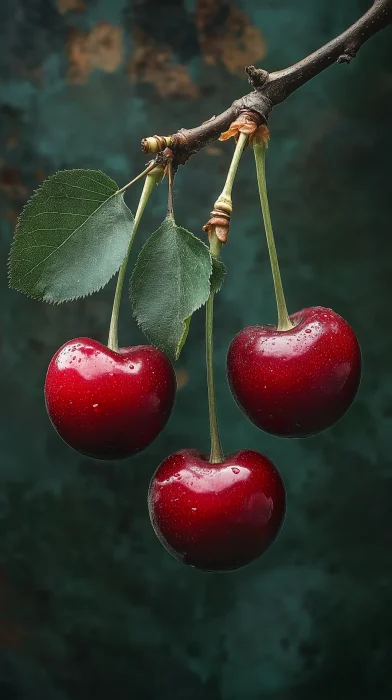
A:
171	279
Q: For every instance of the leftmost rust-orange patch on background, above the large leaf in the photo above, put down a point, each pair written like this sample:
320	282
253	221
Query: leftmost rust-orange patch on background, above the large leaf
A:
102	48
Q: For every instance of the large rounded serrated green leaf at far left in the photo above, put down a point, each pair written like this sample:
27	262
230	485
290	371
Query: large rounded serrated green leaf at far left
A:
71	237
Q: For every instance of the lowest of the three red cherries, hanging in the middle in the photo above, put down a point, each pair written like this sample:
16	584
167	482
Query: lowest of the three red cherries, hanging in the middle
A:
216	517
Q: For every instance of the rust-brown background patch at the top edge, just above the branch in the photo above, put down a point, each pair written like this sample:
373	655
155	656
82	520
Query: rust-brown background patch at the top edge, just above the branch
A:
235	42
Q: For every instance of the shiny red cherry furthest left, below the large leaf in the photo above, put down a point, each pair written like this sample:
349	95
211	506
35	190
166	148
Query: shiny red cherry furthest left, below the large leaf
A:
105	404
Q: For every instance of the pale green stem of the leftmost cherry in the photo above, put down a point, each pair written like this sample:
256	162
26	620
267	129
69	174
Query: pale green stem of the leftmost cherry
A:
151	180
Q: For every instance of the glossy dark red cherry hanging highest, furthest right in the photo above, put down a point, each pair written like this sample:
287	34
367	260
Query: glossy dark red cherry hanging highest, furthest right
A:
298	382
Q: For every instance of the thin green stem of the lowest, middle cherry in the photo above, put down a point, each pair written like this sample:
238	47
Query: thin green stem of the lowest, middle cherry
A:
216	455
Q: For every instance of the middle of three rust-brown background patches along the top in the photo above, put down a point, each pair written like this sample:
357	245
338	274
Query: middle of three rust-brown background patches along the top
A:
154	64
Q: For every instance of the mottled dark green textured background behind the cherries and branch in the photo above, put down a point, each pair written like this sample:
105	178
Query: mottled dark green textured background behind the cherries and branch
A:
91	606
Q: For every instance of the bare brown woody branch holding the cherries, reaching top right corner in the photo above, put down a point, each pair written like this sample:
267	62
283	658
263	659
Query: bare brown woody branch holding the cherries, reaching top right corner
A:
271	89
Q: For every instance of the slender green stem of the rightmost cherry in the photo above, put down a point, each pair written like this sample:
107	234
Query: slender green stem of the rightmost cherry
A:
284	323
